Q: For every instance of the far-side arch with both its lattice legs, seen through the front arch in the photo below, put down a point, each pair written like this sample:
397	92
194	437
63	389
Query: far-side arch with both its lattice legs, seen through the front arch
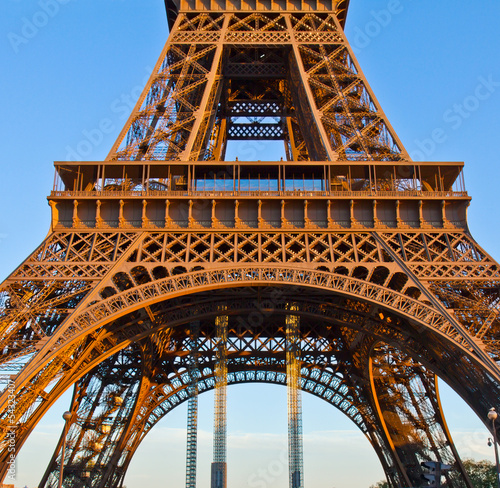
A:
331	370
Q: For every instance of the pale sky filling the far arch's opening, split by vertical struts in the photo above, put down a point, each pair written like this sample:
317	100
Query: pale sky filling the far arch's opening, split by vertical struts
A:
257	443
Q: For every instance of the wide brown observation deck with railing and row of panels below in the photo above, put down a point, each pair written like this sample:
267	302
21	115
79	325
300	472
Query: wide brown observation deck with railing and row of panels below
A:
259	195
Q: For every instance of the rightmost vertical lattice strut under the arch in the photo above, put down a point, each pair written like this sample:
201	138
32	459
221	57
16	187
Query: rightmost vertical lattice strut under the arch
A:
295	449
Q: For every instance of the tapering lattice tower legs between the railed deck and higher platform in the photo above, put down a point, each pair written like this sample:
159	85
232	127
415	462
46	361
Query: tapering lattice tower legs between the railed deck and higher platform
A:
257	75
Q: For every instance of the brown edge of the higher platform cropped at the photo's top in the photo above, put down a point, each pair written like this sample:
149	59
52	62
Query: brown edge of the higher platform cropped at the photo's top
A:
173	7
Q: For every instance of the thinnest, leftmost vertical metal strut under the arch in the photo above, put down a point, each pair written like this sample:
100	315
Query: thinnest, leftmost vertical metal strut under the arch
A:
192	423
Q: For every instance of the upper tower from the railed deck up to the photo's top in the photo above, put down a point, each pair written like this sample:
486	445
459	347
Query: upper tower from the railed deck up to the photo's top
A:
258	70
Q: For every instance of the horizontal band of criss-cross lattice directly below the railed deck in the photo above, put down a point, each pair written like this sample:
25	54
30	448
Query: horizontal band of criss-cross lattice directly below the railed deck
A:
88	256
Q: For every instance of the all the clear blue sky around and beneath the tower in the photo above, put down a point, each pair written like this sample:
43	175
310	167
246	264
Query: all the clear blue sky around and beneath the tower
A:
434	67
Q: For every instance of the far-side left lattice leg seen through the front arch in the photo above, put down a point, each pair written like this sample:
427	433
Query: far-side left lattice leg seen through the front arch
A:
102	405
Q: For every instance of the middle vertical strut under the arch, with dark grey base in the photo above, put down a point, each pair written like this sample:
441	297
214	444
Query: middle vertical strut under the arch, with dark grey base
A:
219	468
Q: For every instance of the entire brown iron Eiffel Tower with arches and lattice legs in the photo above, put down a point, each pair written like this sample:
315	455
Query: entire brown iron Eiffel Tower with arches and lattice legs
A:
346	270
